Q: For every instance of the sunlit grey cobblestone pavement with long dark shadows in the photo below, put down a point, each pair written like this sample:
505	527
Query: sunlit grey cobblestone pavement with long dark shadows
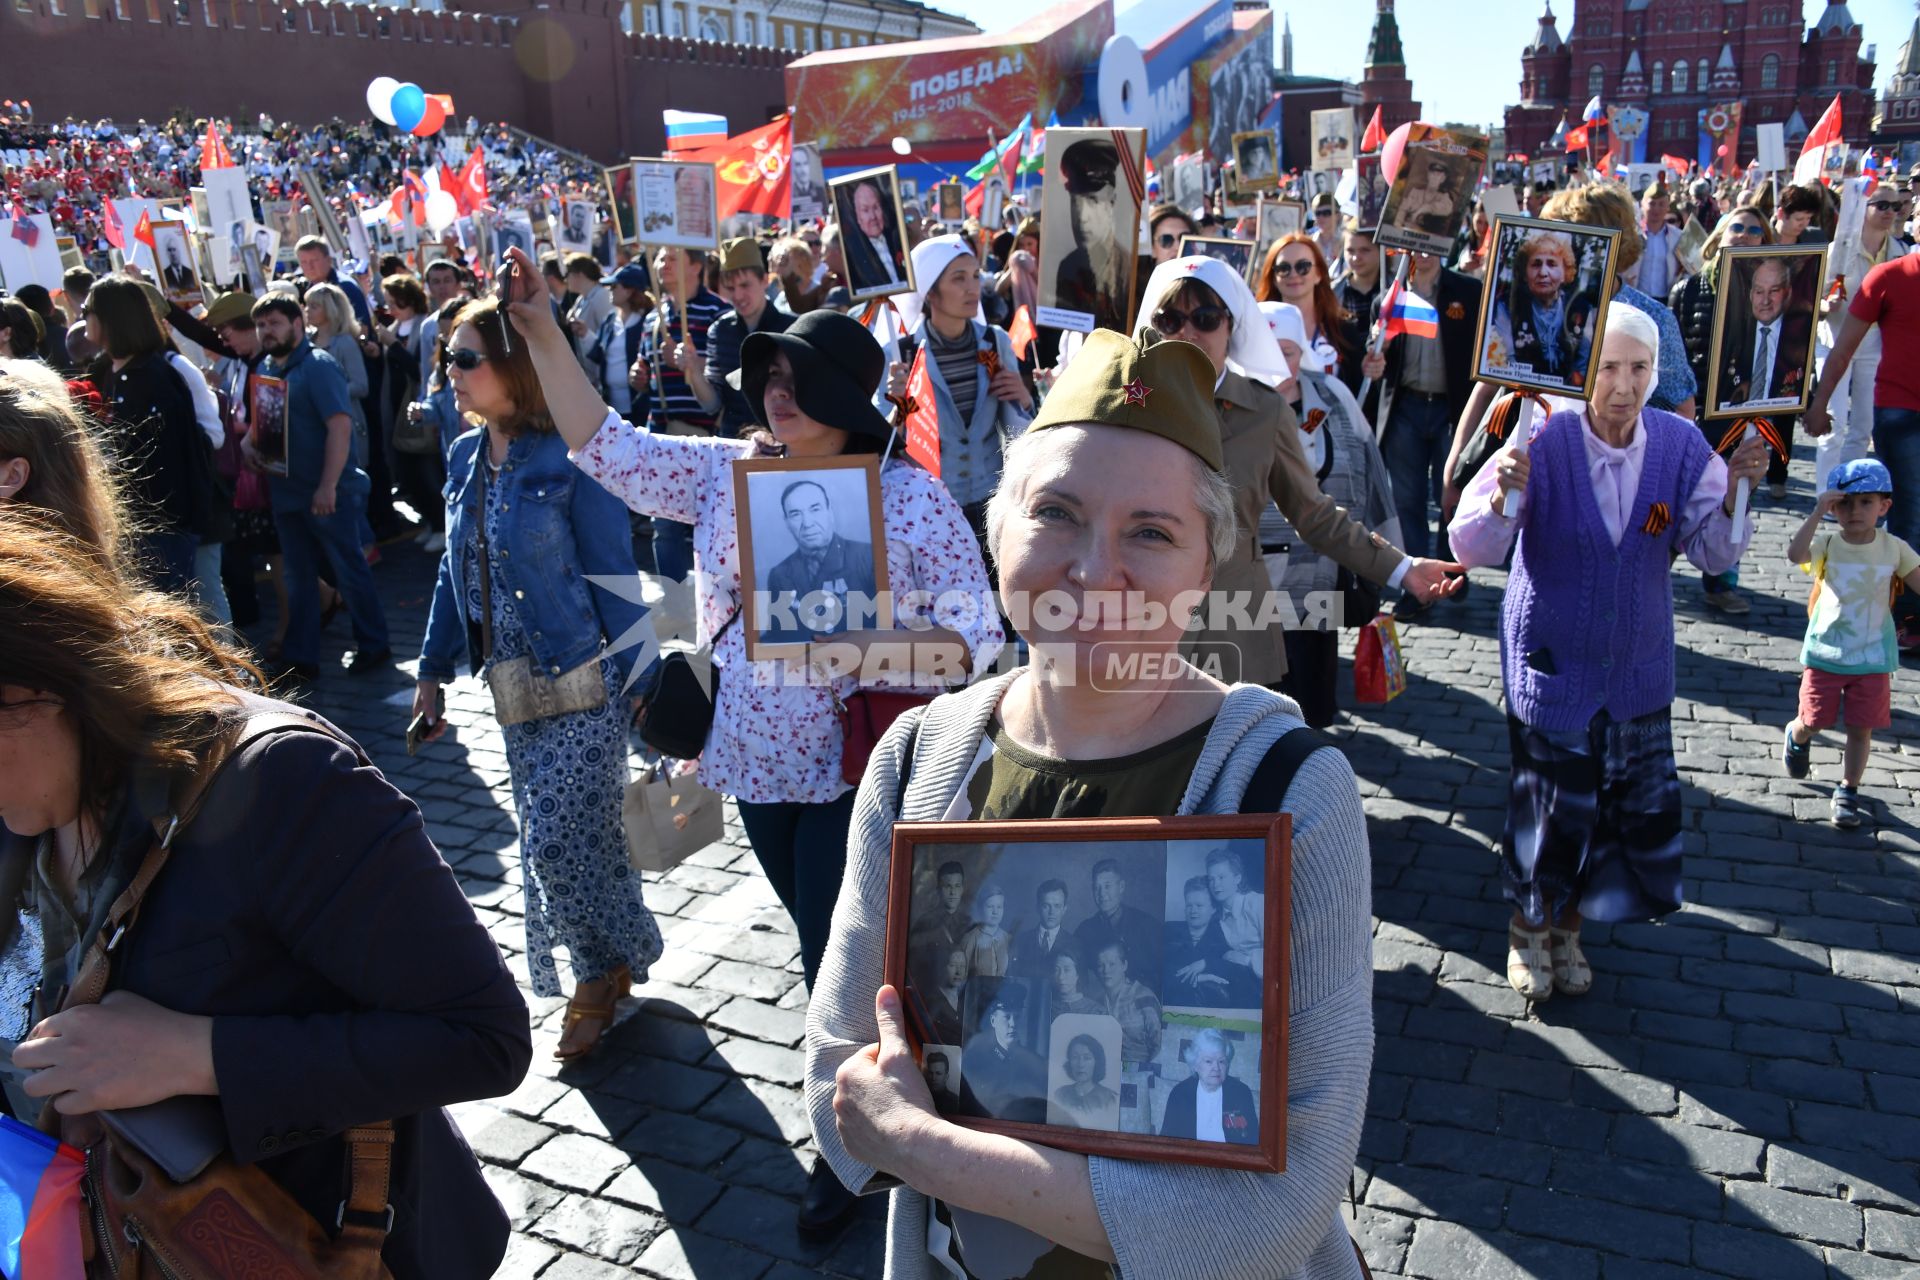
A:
1739	1097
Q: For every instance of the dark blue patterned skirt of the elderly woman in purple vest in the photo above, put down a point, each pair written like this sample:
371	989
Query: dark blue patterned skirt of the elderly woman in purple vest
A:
1593	820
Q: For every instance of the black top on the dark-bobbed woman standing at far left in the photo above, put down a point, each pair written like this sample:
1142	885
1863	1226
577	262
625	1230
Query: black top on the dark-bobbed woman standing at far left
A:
153	435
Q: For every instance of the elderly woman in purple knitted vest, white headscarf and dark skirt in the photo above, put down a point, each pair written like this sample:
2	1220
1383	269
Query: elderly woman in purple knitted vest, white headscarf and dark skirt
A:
1587	648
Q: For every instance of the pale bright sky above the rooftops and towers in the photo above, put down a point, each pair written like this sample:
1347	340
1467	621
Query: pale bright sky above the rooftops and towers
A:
1439	36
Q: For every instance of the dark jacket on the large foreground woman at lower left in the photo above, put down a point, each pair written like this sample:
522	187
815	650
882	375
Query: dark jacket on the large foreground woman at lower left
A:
348	980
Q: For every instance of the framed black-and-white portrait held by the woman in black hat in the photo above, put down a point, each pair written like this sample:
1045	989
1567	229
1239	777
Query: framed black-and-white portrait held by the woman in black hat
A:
813	552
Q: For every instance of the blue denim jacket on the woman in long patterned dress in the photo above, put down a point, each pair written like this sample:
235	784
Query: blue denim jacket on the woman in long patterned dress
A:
556	531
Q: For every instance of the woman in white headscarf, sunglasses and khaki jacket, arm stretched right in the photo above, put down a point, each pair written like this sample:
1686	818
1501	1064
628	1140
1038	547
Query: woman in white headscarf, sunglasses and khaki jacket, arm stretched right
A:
1205	302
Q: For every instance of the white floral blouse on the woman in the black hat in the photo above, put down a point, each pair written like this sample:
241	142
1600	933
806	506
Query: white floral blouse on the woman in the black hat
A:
777	738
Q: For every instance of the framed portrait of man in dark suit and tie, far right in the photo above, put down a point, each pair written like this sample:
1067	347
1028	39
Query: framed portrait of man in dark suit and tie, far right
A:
1764	331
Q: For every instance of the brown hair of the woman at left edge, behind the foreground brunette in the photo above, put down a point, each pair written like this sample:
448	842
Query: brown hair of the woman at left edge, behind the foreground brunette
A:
68	475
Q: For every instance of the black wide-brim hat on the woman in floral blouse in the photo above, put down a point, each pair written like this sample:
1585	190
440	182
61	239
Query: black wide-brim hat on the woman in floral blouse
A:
838	367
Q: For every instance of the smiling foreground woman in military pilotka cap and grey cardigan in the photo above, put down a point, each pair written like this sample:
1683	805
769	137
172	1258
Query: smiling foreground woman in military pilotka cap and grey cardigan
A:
1116	492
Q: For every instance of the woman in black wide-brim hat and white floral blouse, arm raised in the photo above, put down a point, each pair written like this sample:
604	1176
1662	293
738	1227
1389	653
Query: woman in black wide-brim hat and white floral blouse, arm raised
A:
777	740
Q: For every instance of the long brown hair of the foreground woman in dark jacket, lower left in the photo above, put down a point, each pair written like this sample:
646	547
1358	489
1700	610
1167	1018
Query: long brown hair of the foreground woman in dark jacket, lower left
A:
139	675
